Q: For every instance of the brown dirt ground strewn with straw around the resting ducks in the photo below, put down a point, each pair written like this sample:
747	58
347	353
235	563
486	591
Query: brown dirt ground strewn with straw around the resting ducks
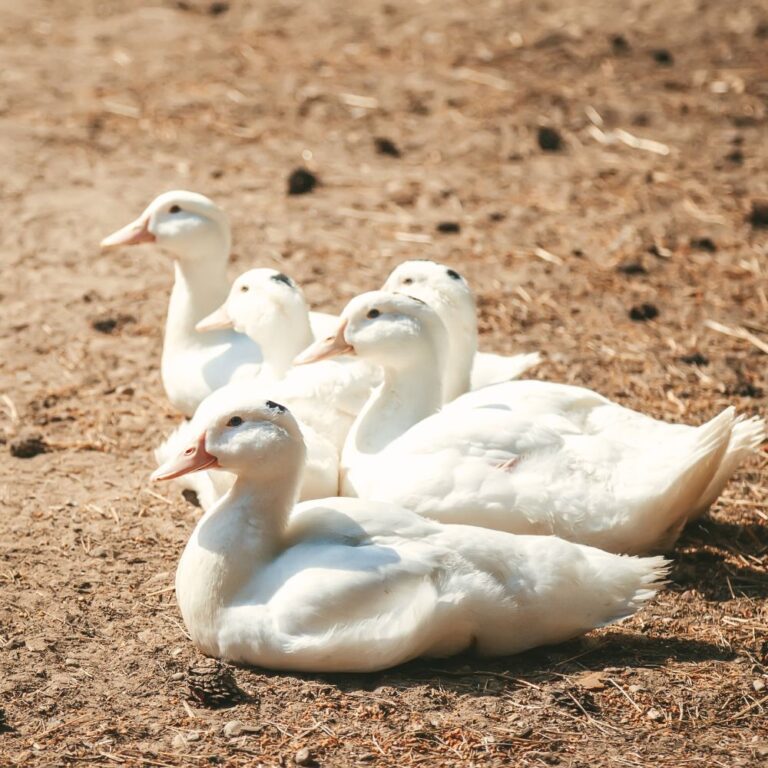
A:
563	233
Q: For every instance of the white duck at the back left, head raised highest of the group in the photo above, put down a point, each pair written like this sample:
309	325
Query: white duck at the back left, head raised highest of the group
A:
197	234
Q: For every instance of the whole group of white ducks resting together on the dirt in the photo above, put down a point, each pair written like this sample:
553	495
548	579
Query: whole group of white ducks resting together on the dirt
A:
375	489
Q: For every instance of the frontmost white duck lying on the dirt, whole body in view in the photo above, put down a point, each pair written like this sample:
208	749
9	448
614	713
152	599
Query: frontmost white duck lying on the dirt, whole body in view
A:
346	585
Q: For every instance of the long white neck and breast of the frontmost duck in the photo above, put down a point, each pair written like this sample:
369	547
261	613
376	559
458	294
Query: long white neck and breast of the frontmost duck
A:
228	546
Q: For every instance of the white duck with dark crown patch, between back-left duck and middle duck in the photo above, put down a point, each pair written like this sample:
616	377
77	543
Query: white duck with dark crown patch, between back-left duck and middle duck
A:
270	308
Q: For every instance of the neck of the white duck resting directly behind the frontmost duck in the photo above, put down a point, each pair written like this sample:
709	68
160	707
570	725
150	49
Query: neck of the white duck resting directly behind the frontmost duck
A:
409	393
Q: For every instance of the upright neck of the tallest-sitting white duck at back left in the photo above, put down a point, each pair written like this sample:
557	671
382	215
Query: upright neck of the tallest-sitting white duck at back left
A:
199	288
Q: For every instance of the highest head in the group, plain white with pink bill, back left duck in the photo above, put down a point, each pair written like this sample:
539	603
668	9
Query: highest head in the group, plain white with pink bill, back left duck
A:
188	225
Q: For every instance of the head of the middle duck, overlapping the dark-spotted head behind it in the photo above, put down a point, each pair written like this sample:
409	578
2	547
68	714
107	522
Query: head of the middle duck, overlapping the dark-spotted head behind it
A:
389	329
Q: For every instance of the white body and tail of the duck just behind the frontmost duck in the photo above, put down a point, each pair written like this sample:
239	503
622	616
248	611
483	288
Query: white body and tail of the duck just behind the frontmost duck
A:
586	470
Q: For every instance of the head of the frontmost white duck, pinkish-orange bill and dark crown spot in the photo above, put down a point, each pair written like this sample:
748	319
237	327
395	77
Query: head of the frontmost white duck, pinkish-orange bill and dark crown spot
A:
242	434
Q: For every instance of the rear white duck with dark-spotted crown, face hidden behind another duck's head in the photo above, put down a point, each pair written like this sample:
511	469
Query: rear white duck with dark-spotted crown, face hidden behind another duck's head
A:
449	294
